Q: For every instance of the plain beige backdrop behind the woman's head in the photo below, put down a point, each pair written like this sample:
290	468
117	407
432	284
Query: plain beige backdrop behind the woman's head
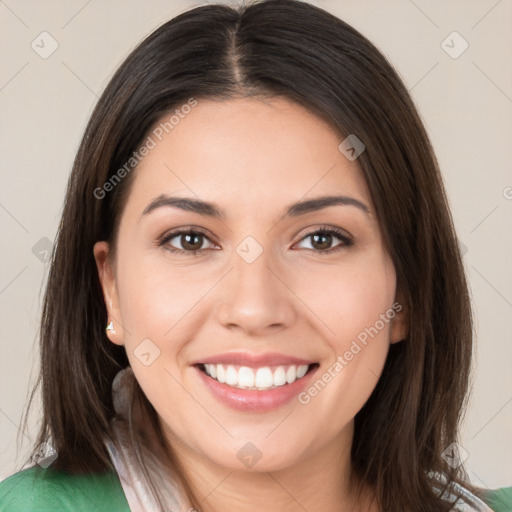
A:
466	104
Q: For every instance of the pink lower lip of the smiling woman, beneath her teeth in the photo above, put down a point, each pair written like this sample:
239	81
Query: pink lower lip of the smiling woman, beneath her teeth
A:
250	400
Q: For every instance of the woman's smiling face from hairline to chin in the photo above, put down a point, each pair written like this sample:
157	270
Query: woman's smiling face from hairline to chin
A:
257	291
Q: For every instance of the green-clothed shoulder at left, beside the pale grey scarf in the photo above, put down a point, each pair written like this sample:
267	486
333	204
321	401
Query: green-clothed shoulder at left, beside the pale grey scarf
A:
48	490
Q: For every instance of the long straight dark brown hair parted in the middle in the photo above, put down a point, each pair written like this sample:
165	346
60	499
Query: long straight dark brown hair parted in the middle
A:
290	49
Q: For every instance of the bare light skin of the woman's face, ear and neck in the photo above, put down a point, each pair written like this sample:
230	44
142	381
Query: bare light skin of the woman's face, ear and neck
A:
253	158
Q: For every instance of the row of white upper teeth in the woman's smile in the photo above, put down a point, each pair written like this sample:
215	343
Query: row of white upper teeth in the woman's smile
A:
261	379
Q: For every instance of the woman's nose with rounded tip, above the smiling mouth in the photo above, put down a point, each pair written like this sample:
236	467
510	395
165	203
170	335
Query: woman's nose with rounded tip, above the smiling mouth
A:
256	298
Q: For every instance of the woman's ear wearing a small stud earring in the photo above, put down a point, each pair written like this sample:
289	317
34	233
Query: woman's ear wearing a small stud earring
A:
106	275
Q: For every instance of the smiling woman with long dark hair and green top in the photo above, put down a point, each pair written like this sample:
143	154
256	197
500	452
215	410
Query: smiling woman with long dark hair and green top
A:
256	215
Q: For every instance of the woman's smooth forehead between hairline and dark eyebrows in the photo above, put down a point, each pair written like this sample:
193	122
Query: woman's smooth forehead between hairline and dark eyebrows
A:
246	153
